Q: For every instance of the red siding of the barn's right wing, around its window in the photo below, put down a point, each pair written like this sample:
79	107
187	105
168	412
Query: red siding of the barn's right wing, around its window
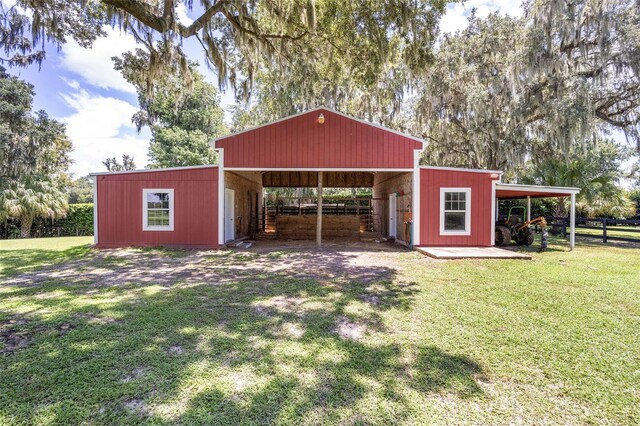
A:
431	180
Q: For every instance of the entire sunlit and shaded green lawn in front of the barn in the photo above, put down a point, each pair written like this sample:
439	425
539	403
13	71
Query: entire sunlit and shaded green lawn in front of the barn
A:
330	337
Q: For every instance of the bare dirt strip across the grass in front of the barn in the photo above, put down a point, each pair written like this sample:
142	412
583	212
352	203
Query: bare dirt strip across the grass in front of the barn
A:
361	262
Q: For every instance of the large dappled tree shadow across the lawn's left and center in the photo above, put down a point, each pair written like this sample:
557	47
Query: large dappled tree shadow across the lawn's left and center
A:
254	344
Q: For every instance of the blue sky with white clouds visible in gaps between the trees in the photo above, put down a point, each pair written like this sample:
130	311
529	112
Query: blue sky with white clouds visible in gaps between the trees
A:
80	88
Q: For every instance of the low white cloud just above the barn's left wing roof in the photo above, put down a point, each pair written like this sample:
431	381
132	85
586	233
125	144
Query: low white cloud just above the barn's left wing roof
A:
101	128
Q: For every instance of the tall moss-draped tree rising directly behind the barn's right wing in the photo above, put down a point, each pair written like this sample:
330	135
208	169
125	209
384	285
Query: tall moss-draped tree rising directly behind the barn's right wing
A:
466	102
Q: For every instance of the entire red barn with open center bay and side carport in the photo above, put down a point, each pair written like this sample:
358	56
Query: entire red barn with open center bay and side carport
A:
208	206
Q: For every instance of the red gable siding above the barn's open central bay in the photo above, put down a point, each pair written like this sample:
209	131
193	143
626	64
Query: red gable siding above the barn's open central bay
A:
300	142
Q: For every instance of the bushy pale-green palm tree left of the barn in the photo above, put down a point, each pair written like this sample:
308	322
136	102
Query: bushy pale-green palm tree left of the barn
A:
30	198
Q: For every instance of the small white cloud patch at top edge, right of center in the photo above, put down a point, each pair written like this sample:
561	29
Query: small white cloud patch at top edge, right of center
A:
456	14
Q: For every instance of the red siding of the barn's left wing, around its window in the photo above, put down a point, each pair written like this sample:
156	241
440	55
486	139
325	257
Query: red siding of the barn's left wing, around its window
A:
195	208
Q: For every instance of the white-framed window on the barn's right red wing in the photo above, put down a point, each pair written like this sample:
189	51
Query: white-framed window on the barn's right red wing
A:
455	211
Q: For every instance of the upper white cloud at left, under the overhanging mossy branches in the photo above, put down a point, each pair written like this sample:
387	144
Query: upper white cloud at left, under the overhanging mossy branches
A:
94	65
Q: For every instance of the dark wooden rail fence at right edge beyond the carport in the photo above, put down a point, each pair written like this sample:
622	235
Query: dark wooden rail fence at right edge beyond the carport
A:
605	225
